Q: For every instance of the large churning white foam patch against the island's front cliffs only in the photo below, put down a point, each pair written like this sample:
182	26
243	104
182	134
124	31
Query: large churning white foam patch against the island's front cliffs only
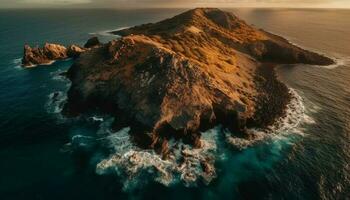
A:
185	164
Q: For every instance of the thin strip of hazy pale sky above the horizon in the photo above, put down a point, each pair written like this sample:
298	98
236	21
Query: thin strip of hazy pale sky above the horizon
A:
174	3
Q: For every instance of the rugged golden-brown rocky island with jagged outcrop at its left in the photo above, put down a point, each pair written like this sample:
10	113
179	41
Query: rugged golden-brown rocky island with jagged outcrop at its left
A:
181	76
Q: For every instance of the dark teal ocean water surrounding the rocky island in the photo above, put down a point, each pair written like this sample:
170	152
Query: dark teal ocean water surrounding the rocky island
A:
46	156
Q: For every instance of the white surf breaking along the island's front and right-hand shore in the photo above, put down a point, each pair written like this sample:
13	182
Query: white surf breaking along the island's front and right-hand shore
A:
136	167
